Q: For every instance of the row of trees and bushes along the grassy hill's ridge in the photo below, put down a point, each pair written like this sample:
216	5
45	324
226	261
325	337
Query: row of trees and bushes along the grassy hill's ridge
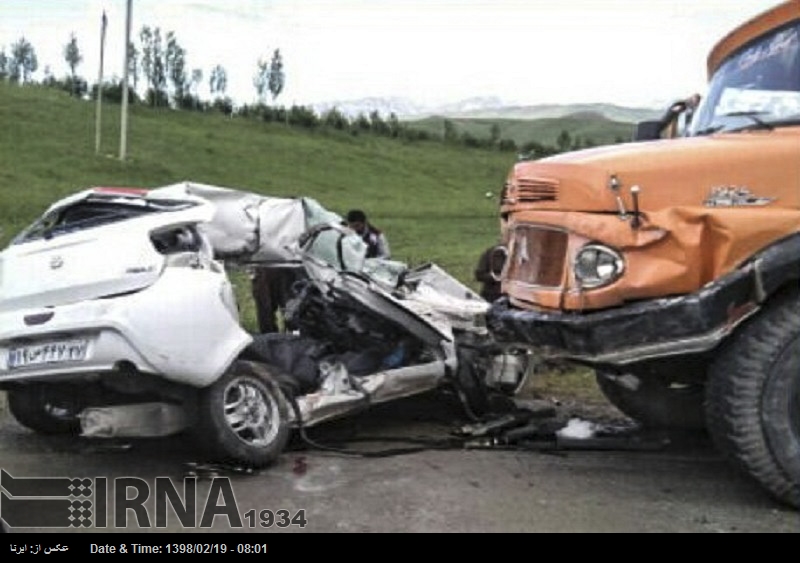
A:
160	63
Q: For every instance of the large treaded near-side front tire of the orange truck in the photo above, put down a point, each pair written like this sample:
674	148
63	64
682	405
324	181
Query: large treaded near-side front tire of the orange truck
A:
753	399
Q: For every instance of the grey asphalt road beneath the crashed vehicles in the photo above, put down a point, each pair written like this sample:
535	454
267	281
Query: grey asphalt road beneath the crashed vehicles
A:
684	487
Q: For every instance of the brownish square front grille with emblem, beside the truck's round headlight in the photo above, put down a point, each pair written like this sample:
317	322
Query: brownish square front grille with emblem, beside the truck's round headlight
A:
537	256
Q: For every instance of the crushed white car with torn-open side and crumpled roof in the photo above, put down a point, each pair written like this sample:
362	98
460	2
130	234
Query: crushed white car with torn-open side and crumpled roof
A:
117	318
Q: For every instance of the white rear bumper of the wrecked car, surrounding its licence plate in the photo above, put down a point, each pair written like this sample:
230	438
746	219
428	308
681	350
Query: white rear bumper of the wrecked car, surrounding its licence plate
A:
193	341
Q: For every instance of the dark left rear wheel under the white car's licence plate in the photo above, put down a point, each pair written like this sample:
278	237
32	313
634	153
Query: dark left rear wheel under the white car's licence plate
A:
47	409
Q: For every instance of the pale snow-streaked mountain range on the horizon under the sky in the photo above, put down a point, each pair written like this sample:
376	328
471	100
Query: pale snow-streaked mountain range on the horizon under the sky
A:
484	108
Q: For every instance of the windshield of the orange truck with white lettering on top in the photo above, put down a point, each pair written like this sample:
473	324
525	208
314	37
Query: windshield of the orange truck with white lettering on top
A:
757	87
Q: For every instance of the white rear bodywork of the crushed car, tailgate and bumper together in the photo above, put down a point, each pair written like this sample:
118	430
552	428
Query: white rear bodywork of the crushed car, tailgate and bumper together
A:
113	290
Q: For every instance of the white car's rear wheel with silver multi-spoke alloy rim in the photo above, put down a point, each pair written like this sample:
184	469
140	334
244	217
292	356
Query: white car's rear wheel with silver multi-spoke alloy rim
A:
245	416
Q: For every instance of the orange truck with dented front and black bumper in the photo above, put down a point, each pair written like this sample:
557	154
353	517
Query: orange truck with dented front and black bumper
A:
671	265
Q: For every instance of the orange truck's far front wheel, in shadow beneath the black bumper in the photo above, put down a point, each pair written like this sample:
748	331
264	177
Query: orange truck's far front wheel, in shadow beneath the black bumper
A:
656	402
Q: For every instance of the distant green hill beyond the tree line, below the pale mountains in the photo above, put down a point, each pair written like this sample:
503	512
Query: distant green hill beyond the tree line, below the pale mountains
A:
586	125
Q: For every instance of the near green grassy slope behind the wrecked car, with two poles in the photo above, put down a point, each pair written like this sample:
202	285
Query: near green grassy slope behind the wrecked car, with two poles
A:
428	197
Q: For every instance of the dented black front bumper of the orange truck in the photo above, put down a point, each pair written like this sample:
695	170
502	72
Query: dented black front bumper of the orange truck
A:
640	331
